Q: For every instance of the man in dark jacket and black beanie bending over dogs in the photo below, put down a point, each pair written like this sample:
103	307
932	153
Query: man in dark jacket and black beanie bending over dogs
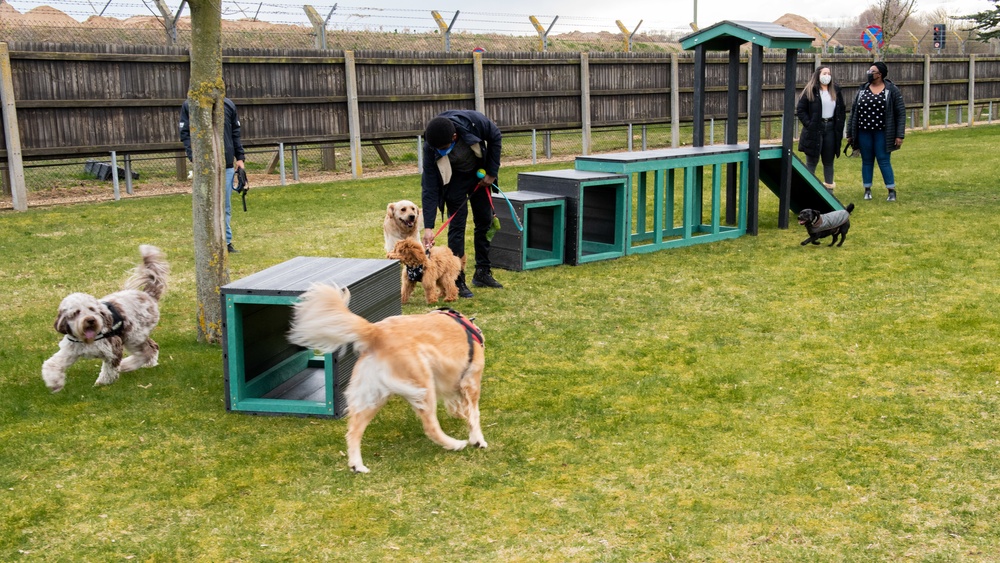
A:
457	144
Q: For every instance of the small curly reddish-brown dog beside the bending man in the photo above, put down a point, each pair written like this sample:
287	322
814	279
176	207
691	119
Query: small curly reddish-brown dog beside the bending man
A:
437	270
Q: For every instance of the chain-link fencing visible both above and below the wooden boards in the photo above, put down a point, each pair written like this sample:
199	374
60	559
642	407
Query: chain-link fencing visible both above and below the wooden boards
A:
400	30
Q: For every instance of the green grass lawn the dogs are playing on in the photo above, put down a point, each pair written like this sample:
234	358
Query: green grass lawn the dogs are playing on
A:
747	400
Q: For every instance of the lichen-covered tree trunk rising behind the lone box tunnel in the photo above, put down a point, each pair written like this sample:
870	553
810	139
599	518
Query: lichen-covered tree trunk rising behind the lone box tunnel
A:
207	119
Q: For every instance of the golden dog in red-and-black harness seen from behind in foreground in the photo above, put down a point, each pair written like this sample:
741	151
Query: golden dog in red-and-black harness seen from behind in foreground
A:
419	357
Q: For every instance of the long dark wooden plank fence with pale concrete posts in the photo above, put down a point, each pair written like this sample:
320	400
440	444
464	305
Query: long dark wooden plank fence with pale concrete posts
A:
82	100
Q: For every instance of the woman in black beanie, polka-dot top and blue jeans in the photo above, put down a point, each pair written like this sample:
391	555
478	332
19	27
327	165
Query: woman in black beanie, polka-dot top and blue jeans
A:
877	127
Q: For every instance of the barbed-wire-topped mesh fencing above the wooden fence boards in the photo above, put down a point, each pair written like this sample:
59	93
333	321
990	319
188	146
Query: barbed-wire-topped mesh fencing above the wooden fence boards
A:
264	25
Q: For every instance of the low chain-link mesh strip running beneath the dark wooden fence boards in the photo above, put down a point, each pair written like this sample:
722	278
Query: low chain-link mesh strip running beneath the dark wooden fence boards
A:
72	179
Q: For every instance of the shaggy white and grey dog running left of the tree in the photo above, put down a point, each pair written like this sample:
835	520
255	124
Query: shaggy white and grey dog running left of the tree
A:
105	328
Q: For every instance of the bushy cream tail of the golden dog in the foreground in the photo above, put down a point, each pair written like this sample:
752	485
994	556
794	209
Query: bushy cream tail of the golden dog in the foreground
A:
321	321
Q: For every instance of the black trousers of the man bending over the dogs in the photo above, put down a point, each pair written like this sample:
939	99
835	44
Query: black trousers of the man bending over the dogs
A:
457	193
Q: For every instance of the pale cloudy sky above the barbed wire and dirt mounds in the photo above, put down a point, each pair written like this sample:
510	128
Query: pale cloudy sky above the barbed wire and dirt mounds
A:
512	15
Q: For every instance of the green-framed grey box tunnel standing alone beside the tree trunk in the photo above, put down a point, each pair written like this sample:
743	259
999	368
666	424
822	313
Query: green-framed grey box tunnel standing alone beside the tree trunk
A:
264	373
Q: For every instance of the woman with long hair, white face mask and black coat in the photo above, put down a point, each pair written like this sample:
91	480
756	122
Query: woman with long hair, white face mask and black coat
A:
821	110
